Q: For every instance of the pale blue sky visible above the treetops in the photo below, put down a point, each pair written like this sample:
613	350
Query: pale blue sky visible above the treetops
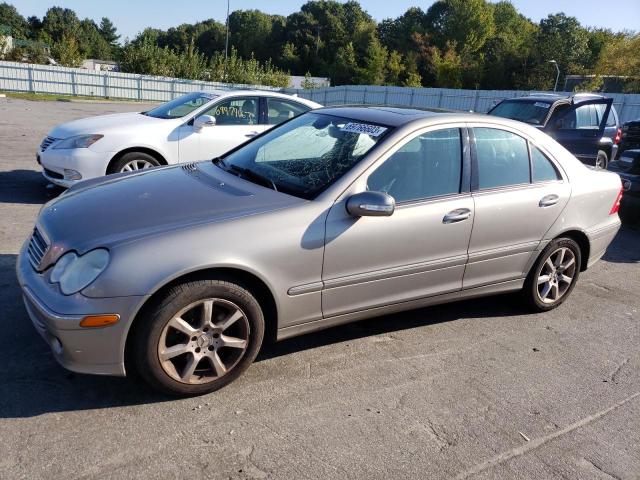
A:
132	16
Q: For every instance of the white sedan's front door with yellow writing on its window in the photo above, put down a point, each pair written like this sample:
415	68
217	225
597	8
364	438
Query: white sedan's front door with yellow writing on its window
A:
237	120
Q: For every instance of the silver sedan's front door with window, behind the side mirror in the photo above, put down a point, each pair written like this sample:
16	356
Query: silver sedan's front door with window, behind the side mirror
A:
421	249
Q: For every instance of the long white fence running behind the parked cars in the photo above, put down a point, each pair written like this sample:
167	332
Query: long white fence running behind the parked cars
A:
22	77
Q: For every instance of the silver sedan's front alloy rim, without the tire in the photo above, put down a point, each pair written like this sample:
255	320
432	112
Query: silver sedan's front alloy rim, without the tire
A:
204	341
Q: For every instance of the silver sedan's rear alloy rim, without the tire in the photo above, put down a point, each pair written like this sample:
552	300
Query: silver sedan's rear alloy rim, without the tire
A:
556	275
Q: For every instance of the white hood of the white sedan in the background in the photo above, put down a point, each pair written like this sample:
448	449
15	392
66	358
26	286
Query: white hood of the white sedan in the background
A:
103	123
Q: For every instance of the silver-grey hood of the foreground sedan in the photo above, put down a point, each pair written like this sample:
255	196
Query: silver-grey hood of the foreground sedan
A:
129	207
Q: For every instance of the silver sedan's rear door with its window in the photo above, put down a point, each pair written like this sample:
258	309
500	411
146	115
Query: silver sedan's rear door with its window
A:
518	194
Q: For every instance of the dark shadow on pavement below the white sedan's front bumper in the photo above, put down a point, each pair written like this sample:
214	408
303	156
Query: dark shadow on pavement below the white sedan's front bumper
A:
26	186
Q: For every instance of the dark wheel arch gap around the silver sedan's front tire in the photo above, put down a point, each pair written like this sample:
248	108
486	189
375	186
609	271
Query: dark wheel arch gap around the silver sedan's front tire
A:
247	279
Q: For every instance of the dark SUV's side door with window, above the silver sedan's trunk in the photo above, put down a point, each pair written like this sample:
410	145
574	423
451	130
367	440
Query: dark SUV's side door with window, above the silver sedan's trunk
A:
581	128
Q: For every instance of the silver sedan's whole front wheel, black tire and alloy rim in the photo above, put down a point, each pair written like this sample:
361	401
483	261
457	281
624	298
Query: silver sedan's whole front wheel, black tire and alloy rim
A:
199	337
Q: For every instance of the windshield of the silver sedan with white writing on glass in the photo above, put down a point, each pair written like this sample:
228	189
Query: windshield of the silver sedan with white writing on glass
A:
305	155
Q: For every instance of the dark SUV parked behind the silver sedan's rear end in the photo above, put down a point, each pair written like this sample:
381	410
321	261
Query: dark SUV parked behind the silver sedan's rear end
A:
585	124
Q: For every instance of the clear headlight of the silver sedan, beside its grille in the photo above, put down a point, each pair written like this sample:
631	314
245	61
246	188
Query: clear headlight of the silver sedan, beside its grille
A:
74	273
